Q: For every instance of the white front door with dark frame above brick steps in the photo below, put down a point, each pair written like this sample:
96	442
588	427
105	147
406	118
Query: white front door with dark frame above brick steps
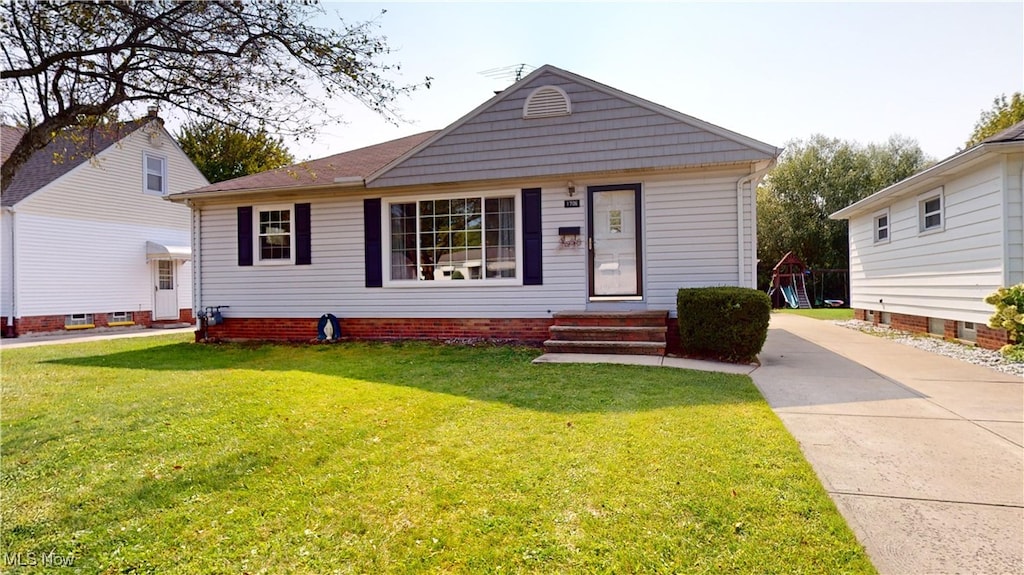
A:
615	242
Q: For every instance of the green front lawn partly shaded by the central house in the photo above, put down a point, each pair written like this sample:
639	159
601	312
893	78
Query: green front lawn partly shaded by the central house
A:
158	456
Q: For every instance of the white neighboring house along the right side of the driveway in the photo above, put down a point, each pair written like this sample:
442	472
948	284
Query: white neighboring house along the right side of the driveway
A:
927	251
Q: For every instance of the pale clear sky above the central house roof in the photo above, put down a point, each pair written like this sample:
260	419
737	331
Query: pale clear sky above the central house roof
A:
771	71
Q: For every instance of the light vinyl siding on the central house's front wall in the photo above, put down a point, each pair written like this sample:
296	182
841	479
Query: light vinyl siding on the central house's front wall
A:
692	241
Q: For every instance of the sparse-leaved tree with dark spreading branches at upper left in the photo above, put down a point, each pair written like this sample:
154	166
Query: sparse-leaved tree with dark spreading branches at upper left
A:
248	65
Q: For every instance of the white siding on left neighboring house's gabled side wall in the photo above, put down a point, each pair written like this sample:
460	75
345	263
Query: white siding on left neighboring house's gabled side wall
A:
81	241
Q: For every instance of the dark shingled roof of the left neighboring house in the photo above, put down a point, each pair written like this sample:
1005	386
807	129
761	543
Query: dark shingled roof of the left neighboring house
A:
62	156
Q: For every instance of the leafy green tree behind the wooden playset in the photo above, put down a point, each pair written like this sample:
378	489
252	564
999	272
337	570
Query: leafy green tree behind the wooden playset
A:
818	178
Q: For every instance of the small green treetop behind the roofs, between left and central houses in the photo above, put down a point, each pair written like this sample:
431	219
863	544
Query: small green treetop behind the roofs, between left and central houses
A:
223	153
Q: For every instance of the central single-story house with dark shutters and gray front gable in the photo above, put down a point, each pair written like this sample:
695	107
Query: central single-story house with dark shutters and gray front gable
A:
559	194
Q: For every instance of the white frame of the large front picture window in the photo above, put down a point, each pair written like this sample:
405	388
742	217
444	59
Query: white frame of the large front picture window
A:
517	195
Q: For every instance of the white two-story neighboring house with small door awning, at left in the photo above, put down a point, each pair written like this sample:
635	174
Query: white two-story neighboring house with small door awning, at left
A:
89	239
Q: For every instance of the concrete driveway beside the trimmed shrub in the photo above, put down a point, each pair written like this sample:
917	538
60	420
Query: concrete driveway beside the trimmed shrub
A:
923	455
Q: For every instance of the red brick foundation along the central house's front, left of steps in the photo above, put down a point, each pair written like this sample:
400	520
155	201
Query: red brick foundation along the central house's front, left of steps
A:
523	331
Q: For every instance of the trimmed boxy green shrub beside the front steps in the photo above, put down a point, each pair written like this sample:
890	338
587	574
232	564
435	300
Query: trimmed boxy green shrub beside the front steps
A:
729	324
